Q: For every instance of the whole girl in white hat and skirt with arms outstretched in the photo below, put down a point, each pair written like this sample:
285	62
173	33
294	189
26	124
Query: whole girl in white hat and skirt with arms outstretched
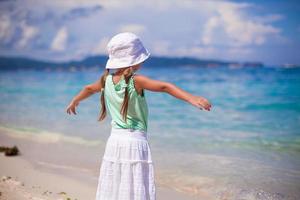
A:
127	171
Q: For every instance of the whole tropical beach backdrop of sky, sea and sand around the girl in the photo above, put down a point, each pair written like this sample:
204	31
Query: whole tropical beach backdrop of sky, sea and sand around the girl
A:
241	56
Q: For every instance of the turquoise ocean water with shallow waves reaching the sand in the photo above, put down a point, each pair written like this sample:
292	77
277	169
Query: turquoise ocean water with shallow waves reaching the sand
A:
246	147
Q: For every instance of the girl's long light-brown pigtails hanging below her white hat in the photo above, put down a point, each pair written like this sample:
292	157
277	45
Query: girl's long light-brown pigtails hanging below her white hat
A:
127	72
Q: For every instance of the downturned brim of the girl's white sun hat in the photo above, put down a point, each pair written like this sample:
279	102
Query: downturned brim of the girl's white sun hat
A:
116	63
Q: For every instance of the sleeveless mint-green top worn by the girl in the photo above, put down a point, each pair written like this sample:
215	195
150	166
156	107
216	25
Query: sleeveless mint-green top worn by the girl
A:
137	114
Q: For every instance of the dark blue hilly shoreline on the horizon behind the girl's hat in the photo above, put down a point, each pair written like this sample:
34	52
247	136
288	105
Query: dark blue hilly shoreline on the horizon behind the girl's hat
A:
13	63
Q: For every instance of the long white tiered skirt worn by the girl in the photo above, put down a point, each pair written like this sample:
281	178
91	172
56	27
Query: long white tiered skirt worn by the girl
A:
127	171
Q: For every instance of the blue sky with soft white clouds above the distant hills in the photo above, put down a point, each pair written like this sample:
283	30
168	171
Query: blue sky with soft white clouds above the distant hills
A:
56	30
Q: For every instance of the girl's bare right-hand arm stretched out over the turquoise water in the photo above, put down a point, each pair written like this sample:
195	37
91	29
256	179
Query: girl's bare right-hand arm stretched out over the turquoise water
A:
161	86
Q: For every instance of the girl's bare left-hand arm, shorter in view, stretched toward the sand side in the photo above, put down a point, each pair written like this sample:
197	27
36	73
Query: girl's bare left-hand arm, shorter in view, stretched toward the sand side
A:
86	92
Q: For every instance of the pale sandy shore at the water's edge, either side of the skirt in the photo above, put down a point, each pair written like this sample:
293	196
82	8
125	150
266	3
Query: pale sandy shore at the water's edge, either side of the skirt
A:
23	178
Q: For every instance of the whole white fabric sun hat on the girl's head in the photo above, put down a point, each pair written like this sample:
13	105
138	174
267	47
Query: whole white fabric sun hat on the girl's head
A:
125	49
